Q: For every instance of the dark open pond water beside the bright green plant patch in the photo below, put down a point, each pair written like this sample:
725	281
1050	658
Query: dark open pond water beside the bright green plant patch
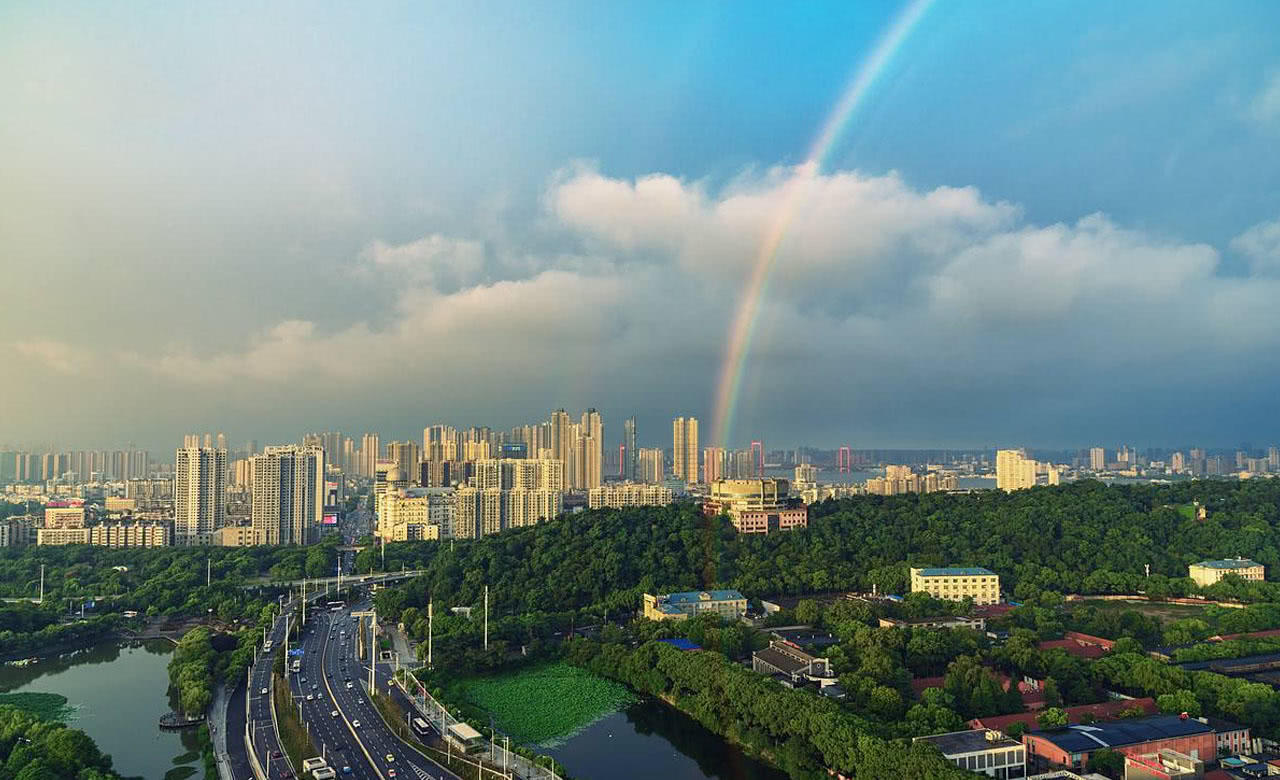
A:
651	740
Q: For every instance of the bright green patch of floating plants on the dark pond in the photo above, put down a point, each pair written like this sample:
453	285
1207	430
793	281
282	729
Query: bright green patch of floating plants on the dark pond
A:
546	705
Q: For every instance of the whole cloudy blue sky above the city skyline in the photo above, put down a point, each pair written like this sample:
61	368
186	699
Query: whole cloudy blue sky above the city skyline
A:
1046	225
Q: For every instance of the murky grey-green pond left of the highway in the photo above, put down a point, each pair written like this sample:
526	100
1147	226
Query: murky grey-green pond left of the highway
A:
120	694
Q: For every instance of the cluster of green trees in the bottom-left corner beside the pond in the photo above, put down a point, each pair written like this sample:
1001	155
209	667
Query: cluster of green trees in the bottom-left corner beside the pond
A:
35	749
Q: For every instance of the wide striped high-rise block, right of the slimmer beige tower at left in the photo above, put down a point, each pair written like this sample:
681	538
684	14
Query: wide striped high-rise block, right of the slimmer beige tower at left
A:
289	495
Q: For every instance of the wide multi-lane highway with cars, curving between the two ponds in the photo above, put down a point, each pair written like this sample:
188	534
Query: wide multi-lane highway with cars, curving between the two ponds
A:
341	718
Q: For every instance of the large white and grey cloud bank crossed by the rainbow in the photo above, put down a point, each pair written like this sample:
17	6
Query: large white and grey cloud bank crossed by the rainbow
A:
884	299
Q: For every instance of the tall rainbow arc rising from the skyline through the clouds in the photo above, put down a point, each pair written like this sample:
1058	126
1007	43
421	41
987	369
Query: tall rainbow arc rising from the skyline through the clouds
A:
744	322
